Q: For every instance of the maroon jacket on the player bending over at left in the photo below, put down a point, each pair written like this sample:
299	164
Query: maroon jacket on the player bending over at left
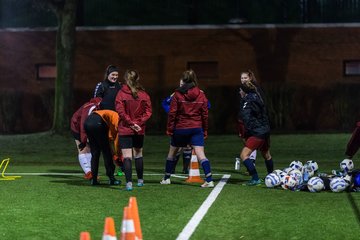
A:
79	117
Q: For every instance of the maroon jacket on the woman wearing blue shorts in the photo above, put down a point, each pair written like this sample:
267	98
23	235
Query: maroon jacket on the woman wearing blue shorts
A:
188	110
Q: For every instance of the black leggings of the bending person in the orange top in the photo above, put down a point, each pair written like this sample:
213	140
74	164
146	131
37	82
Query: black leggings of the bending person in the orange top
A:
97	133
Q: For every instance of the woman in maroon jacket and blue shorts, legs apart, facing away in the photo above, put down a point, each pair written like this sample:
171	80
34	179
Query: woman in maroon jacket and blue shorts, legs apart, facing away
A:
188	124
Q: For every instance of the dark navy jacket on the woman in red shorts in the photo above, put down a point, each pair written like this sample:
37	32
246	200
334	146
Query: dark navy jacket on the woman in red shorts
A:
253	113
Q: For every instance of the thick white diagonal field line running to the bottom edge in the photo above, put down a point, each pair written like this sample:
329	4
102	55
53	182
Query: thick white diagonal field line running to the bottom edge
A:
200	213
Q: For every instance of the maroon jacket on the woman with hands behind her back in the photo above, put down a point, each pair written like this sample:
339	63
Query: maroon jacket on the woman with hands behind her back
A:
132	111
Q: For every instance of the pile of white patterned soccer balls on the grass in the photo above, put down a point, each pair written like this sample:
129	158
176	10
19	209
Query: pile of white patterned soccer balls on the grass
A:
299	176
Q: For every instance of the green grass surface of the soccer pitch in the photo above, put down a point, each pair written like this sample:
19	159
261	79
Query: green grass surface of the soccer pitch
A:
60	207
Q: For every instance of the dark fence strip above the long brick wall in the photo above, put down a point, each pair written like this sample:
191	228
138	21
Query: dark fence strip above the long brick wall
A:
15	13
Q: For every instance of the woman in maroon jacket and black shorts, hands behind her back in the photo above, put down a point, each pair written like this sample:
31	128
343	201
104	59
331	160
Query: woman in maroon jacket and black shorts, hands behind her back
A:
134	107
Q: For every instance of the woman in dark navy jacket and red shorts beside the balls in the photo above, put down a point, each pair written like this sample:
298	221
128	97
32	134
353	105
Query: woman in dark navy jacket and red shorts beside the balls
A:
253	113
